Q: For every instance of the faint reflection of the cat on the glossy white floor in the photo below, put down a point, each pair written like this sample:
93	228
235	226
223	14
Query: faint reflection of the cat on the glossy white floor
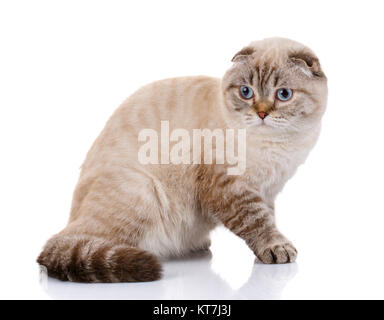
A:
184	278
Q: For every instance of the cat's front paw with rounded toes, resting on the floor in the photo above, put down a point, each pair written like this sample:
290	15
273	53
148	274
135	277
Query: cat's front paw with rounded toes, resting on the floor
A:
283	252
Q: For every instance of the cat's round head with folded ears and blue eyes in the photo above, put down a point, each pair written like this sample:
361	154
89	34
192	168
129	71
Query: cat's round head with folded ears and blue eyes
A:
276	84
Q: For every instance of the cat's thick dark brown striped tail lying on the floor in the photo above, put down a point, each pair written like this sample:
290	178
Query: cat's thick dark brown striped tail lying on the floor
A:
90	259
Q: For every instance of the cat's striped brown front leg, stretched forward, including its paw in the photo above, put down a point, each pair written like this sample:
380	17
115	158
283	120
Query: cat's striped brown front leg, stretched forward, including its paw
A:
242	210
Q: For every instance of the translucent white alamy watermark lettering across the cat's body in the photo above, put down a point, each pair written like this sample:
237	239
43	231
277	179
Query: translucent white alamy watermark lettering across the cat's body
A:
206	146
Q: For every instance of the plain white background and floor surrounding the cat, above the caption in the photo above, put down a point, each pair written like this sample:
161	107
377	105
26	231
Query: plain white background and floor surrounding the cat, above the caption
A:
66	65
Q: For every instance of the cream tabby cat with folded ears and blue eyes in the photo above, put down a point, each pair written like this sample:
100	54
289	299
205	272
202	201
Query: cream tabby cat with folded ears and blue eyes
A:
126	215
